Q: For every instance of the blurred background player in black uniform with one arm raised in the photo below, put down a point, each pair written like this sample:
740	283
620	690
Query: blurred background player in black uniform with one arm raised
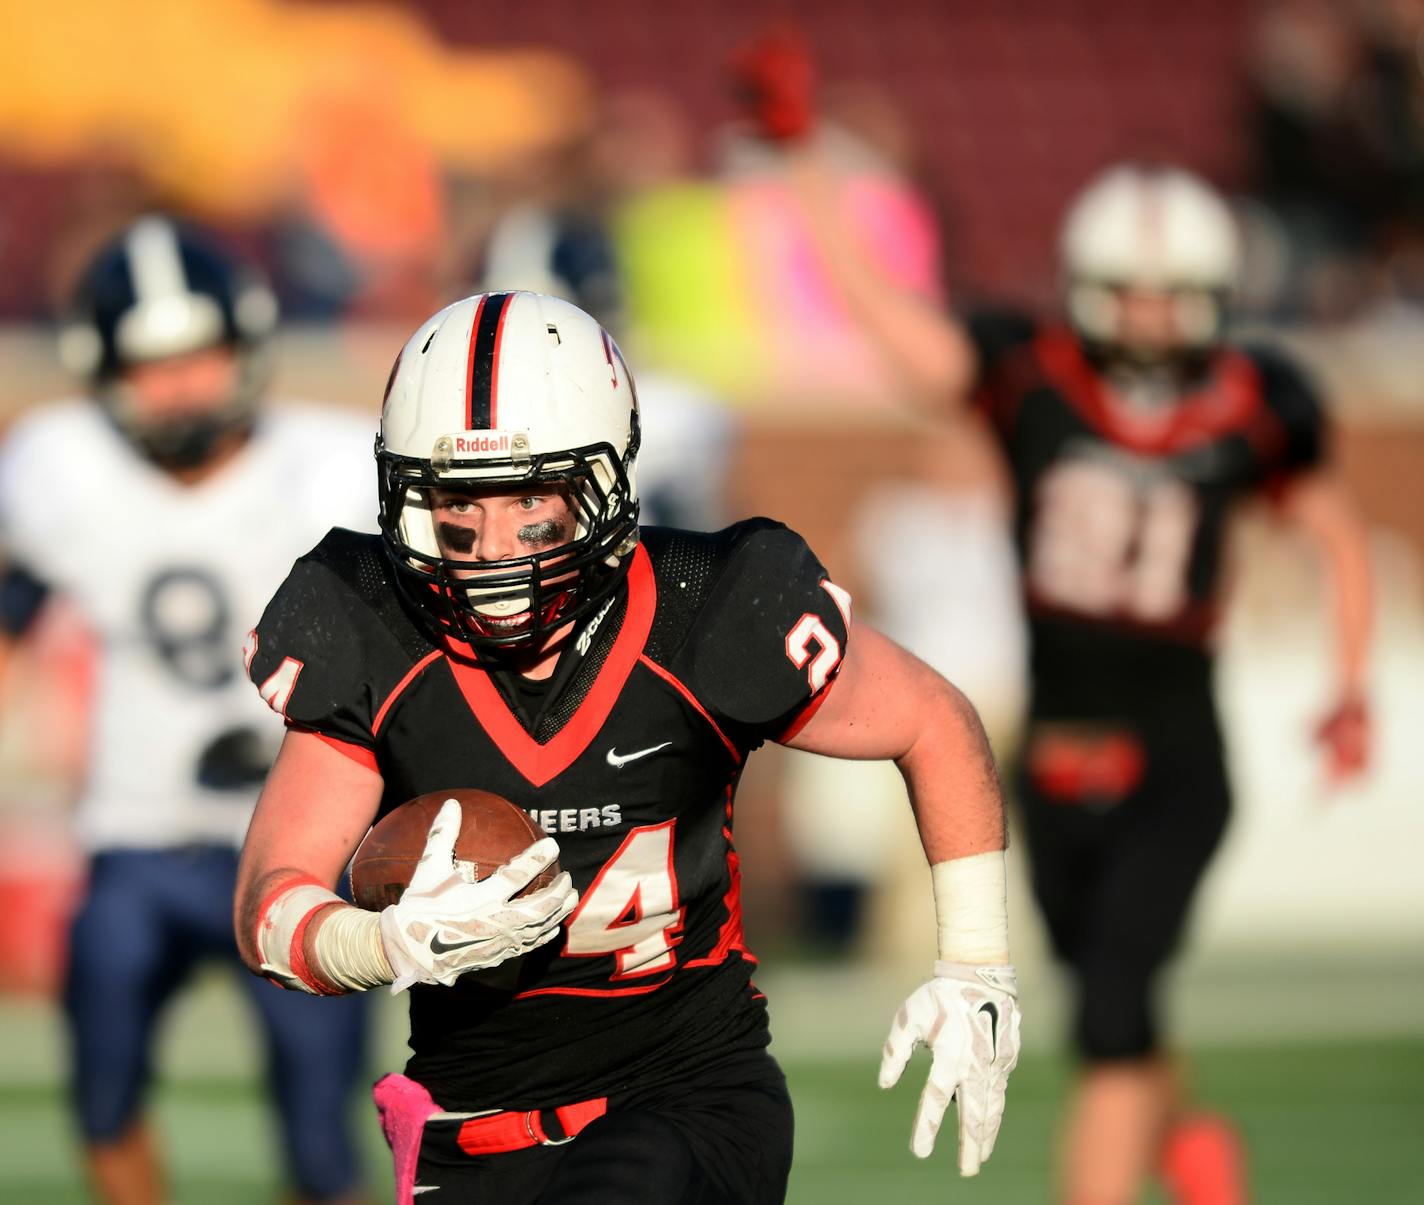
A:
1133	432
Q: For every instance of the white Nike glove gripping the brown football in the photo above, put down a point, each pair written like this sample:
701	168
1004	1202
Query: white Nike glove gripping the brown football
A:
446	924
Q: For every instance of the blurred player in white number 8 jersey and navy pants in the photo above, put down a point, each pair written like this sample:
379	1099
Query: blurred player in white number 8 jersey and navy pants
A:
166	508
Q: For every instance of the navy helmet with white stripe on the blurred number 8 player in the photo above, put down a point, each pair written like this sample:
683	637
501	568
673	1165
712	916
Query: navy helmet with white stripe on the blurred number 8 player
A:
162	290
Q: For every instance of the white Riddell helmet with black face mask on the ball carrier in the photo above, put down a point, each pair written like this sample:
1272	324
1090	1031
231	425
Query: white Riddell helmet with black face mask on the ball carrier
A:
503	390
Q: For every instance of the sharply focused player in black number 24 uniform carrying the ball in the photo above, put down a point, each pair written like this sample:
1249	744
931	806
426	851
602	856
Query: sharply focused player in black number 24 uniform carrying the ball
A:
513	629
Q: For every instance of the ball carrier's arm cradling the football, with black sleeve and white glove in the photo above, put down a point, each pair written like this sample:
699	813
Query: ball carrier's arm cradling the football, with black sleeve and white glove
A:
320	657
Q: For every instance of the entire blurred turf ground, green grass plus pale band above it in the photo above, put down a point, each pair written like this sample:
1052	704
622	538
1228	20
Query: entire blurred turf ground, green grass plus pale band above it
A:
1326	1082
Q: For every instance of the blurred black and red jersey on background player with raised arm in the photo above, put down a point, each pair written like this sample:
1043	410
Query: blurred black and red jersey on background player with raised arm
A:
1120	521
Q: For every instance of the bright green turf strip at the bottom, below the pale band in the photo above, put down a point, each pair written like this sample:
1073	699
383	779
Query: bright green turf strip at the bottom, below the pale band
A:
1328	1123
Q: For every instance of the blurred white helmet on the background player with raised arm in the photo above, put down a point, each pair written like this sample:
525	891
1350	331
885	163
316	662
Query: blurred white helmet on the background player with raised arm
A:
1148	229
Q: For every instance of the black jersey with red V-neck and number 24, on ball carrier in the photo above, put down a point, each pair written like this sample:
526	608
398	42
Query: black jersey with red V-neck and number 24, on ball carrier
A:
716	645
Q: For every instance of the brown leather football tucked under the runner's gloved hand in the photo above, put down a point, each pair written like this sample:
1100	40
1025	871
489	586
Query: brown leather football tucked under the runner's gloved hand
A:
492	833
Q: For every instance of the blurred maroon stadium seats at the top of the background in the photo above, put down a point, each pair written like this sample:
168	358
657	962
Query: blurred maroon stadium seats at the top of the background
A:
1015	105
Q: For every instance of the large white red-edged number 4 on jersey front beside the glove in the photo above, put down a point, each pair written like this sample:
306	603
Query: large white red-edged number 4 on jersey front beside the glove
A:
632	909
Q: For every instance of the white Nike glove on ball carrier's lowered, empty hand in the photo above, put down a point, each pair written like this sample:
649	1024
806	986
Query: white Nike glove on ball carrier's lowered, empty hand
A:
969	1019
